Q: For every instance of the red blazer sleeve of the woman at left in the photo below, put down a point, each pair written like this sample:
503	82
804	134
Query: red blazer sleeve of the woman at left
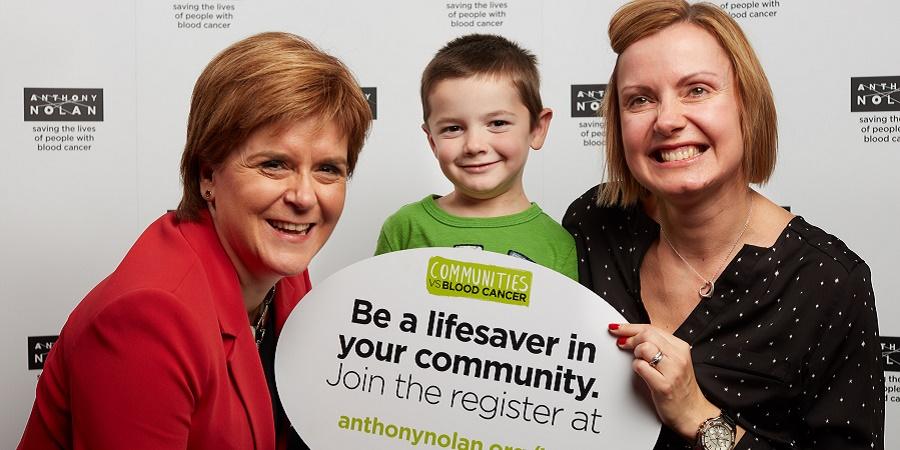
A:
135	374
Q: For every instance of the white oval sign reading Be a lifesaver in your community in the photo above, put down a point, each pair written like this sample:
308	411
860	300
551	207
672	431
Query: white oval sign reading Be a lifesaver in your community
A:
460	349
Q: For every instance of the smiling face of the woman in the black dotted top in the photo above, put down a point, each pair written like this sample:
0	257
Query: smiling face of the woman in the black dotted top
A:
680	112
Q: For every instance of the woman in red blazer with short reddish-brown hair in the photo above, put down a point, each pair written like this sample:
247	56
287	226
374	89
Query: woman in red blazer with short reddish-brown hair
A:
175	349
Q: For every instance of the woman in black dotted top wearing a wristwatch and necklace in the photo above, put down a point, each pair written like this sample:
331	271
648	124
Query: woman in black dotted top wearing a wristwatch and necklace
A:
751	328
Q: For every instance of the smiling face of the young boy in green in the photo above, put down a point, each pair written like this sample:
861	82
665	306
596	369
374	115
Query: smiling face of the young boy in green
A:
480	133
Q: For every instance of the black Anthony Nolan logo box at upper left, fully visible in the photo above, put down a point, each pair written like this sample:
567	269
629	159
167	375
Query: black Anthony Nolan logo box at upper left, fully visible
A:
63	105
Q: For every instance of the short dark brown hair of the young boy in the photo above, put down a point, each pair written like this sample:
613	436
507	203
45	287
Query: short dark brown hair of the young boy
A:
485	55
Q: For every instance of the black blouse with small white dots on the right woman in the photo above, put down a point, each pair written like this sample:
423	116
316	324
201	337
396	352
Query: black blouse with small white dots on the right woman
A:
788	345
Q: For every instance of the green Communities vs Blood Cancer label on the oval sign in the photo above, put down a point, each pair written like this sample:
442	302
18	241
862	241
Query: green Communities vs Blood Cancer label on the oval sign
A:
450	278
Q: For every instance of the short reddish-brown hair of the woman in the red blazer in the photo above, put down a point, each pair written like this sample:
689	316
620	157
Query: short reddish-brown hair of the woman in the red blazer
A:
265	79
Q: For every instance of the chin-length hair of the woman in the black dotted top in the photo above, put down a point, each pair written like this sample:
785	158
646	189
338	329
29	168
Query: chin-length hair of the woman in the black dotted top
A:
641	18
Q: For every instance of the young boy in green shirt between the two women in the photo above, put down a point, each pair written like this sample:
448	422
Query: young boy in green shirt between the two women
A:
483	112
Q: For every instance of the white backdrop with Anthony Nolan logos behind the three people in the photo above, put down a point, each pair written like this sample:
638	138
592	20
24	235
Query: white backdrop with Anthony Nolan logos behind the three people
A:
68	216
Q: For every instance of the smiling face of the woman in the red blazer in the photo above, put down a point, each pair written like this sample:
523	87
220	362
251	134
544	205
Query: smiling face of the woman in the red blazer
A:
277	198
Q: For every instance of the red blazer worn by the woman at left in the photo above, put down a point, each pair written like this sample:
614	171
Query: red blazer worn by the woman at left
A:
159	355
